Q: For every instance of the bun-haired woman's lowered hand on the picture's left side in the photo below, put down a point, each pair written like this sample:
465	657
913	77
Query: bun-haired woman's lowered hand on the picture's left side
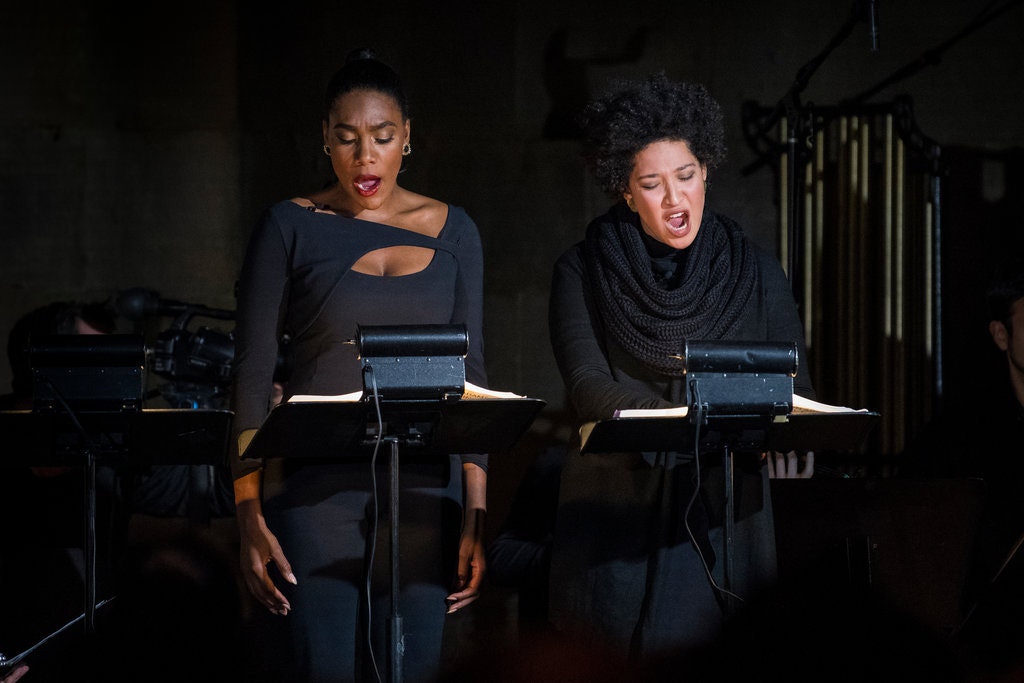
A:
259	549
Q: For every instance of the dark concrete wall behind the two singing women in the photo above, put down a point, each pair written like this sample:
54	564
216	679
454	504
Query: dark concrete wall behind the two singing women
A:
140	152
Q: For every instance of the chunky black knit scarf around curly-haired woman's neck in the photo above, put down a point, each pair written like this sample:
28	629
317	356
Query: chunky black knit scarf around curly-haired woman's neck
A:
651	321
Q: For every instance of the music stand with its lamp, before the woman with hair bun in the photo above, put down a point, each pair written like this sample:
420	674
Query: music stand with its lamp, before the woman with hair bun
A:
414	379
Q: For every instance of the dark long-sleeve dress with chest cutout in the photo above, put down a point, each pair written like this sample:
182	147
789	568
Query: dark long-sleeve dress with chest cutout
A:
297	281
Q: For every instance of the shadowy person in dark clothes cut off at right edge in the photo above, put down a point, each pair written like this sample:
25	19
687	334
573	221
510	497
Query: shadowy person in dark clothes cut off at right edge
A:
980	437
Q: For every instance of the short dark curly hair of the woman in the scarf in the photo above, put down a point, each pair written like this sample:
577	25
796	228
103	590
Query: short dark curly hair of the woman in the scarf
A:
634	114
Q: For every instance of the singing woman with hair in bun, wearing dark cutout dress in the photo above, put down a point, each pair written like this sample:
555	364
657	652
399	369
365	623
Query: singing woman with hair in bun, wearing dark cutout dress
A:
364	251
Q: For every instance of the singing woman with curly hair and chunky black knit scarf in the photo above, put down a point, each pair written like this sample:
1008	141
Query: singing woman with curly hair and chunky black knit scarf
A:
636	565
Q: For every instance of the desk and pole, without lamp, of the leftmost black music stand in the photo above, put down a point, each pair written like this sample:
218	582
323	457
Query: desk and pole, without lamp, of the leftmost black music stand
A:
157	437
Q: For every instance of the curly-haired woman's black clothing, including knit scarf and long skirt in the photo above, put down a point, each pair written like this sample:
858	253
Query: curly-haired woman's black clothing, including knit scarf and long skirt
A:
625	574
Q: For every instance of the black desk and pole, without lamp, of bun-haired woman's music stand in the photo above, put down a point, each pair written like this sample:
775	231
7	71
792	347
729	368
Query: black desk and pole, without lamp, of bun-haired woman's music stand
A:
429	430
